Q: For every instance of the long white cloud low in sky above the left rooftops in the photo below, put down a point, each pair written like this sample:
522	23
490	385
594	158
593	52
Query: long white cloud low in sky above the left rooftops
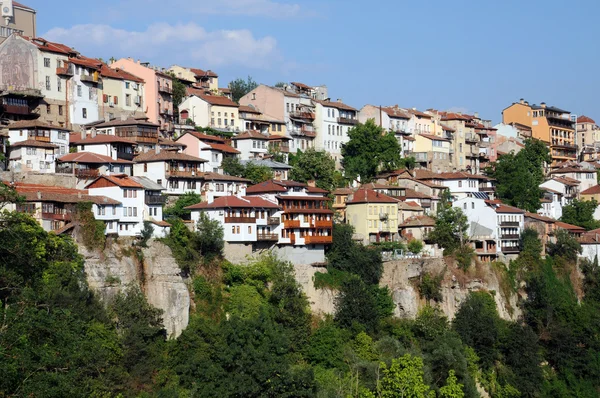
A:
166	44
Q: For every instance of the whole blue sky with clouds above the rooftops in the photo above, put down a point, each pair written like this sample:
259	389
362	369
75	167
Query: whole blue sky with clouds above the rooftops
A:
462	55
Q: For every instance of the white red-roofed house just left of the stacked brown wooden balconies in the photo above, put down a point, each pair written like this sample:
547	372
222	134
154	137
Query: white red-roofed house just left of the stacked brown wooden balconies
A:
249	223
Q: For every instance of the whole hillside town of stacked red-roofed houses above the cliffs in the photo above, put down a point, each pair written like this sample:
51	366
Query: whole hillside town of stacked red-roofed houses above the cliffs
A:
75	128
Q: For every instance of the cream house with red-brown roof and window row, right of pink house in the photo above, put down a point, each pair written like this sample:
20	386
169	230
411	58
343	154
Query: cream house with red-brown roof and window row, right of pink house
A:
209	110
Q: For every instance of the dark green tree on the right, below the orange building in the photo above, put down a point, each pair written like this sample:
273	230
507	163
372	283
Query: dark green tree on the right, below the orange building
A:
519	176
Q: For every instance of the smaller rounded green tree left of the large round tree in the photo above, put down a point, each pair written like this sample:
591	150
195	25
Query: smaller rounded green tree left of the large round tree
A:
314	165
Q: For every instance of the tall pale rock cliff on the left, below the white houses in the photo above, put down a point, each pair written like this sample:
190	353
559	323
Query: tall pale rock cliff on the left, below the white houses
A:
155	271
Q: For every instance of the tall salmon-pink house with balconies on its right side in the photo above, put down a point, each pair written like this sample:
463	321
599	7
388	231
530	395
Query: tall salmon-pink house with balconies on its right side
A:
158	94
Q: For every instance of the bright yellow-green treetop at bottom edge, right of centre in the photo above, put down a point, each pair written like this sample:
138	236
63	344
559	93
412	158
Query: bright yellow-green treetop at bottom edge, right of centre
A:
404	378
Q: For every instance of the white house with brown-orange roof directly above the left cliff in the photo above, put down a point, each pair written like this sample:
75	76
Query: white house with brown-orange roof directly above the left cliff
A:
130	214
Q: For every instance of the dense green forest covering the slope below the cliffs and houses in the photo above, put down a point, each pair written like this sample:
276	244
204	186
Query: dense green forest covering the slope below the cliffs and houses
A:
251	332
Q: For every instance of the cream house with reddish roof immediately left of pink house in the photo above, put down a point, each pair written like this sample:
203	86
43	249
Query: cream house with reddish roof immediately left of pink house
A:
121	95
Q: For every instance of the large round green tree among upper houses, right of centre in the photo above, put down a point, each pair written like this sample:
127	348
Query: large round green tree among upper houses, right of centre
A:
369	150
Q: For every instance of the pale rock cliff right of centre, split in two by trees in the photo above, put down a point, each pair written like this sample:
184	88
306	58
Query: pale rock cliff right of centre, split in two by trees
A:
401	277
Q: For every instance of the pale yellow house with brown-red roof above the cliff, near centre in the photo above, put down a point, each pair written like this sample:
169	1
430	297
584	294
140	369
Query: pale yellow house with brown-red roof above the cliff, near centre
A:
373	215
